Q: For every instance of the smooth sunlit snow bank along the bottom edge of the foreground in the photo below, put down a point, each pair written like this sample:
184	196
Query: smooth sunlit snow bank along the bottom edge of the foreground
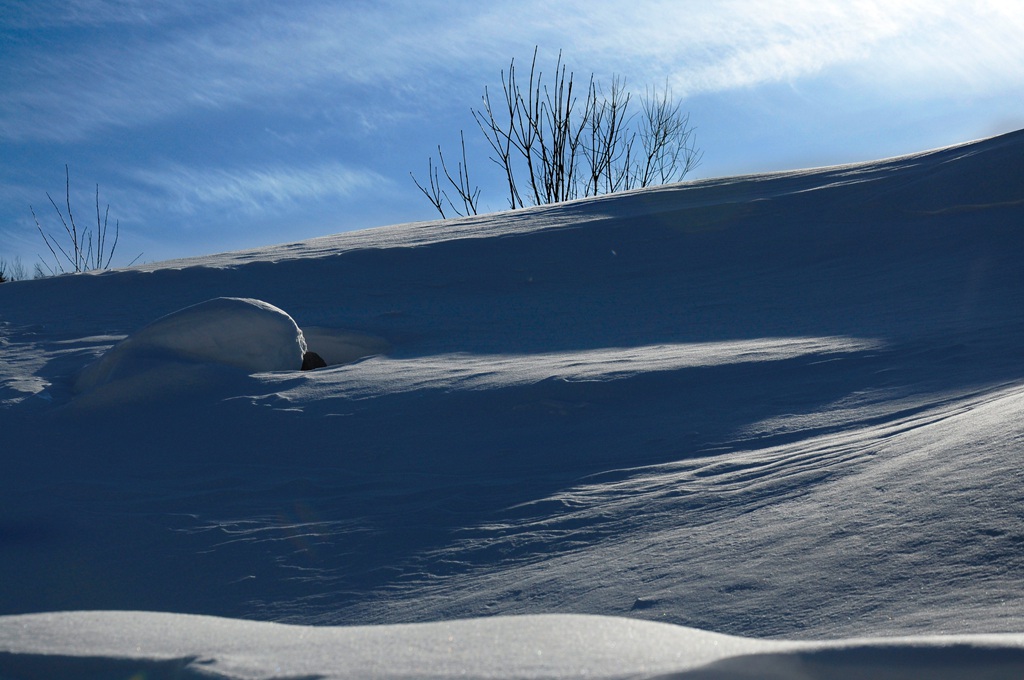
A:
123	644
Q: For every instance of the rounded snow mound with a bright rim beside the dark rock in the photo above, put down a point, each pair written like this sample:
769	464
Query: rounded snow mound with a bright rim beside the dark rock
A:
242	333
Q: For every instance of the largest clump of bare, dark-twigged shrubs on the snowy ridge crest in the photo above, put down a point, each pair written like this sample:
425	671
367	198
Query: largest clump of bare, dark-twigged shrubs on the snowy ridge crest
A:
553	145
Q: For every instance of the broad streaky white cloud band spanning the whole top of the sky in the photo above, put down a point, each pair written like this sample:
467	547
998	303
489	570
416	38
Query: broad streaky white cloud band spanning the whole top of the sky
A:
257	55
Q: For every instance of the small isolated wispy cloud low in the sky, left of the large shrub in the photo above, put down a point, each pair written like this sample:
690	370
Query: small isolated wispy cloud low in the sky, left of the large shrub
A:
189	191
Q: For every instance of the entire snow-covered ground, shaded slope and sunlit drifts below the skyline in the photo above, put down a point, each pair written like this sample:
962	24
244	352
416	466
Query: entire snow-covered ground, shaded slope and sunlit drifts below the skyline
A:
671	432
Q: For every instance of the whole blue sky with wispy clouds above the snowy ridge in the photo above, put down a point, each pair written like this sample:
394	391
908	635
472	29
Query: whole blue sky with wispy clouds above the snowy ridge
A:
220	125
